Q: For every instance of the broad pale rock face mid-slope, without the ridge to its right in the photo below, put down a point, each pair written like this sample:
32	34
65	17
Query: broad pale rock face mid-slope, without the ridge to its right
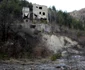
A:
53	42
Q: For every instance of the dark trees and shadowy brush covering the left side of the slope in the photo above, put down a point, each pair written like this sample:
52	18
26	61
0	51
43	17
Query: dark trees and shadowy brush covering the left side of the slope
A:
10	12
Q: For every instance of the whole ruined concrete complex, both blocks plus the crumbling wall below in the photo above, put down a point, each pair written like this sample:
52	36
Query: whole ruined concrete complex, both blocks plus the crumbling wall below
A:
39	12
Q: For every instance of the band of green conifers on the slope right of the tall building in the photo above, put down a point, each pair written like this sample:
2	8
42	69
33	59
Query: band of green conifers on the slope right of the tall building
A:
64	19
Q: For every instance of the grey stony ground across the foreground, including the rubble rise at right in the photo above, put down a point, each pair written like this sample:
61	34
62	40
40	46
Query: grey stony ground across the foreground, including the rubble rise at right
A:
69	61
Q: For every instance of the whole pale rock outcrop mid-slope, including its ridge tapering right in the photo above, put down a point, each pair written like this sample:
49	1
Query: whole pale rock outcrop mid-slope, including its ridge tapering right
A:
55	43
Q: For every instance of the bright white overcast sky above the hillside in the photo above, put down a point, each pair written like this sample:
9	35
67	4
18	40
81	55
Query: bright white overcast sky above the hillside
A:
64	5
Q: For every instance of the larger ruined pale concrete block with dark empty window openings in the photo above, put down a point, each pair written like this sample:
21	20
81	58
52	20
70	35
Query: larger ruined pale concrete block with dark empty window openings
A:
40	12
